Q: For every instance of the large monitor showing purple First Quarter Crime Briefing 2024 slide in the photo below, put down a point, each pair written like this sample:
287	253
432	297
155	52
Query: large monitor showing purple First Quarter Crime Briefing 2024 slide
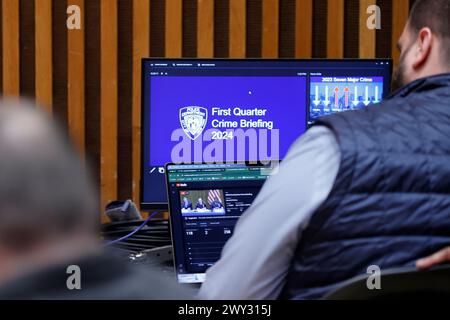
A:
214	110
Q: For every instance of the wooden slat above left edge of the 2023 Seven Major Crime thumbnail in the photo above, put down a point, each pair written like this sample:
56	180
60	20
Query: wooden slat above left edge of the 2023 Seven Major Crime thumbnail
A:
303	28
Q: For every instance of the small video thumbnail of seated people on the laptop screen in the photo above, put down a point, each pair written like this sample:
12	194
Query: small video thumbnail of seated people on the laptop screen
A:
202	202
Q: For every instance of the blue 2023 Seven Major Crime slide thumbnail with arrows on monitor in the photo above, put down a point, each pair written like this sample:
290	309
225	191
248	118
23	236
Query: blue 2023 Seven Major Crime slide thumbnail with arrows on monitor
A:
335	94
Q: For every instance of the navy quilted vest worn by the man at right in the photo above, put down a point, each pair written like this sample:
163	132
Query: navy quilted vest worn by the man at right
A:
390	203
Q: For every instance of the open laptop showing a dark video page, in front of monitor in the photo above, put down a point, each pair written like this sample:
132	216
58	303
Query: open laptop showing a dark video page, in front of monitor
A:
205	203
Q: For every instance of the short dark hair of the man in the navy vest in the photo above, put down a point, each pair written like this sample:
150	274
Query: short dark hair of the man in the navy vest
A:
434	14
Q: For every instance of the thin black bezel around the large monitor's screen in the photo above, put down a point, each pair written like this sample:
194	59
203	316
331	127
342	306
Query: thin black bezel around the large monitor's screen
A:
163	206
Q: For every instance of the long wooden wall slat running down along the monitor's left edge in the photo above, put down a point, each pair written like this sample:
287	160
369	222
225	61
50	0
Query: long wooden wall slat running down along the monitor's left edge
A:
141	47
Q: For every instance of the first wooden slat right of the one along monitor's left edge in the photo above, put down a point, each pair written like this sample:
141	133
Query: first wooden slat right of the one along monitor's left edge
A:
174	28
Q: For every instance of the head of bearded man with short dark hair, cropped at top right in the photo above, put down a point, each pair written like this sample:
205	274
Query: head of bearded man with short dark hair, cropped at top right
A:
425	42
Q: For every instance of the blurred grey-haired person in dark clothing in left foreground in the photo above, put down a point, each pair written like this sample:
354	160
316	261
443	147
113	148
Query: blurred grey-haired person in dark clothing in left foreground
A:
49	220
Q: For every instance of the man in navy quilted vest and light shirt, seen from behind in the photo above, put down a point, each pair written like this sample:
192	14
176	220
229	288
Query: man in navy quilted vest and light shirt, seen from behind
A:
360	188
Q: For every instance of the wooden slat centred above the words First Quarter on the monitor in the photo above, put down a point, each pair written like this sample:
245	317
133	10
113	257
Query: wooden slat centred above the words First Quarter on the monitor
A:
237	28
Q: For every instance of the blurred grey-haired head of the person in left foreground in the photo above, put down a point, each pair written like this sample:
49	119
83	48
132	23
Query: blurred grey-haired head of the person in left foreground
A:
46	199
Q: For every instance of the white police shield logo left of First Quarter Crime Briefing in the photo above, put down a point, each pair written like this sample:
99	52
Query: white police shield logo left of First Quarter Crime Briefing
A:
193	121
